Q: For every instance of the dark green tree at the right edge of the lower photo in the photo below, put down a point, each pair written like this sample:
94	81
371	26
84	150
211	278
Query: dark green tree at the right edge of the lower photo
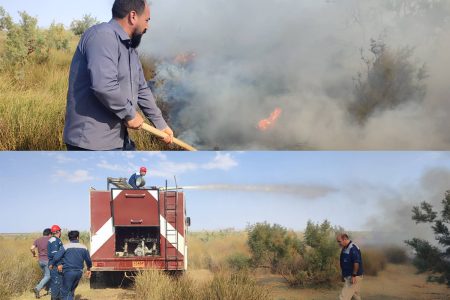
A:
431	258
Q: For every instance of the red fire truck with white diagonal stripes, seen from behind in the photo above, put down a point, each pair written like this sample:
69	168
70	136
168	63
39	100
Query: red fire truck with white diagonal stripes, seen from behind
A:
136	229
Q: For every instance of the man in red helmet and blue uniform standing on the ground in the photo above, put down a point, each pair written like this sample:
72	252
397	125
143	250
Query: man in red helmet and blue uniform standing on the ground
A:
54	247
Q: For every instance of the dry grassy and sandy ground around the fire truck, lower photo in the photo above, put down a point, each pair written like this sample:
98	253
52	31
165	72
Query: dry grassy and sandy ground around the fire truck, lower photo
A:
208	275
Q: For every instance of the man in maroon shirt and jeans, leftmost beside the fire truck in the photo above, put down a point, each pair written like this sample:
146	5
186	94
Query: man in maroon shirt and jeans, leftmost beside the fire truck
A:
41	246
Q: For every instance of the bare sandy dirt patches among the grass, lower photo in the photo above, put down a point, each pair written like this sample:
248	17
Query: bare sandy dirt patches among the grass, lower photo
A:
396	282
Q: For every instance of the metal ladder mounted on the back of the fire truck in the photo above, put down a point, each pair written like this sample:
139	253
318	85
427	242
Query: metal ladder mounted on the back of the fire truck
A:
170	215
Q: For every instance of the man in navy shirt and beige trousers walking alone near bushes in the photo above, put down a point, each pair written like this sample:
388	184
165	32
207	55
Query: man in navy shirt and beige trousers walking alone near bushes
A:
352	268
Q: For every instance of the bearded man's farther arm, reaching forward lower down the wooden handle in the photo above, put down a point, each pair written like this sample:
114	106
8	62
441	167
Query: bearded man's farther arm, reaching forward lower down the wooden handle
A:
147	103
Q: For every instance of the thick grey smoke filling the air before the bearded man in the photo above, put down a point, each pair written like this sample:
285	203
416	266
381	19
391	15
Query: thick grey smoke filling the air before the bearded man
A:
302	56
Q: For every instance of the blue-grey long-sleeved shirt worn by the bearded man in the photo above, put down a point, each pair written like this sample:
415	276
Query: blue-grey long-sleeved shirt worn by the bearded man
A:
106	85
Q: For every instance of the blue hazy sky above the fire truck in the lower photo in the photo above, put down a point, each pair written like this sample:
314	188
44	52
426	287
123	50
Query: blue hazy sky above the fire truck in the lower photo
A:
355	190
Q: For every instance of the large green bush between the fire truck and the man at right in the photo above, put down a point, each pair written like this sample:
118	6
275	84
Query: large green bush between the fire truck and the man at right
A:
313	262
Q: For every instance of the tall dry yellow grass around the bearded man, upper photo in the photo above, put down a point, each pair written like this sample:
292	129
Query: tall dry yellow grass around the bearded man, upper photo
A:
33	102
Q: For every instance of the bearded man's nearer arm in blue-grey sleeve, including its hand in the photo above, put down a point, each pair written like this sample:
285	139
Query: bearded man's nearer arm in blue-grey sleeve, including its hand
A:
102	62
